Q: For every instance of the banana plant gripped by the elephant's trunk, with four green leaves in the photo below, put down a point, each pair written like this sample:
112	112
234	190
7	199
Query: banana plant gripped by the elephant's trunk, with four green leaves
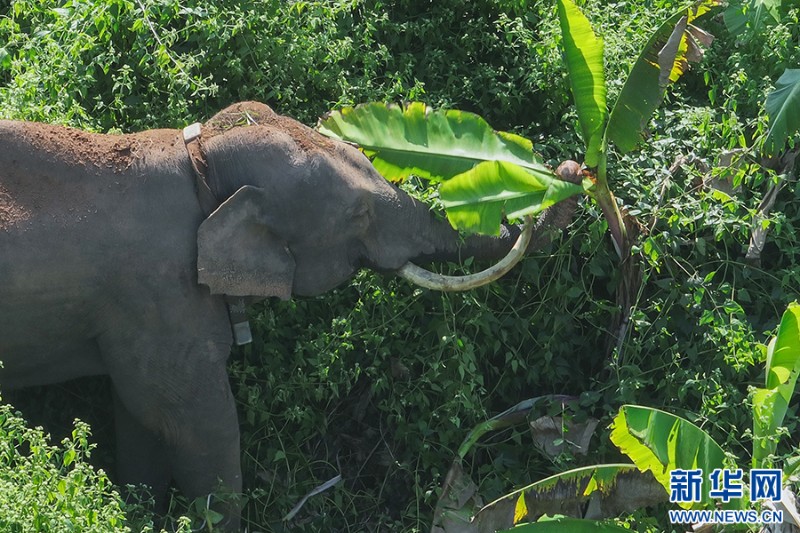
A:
487	174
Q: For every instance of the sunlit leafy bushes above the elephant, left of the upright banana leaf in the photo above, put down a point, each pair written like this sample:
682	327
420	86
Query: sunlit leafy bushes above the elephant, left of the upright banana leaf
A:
108	64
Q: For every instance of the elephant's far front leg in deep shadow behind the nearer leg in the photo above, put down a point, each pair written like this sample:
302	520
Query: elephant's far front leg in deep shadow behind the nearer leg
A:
141	455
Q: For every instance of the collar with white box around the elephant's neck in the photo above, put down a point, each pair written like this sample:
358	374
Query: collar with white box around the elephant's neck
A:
240	326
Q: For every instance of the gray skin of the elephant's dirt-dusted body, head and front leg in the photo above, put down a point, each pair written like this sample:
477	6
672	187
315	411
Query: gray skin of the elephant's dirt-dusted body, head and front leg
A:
109	266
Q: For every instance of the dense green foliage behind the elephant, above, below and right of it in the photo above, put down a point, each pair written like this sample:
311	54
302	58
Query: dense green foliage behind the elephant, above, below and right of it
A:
380	382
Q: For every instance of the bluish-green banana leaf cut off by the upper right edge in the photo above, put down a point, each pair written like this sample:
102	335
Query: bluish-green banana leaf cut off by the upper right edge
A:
783	110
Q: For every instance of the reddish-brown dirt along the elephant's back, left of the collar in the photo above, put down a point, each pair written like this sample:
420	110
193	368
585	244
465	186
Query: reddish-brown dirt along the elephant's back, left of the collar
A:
76	147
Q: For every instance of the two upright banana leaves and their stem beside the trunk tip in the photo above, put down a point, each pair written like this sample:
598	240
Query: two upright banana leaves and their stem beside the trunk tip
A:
662	61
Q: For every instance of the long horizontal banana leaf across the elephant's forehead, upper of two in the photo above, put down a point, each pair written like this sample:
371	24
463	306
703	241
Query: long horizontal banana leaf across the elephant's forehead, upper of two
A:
435	145
